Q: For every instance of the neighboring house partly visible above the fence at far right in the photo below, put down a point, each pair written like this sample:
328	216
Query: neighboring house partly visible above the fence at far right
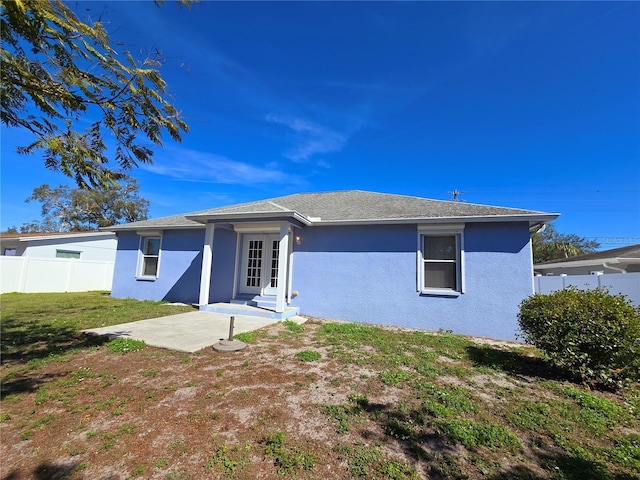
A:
617	260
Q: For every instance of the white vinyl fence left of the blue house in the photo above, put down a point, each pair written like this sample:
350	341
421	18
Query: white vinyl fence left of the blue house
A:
33	274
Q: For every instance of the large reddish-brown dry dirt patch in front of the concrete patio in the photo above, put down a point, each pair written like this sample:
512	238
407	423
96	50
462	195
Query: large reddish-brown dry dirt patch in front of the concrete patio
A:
161	414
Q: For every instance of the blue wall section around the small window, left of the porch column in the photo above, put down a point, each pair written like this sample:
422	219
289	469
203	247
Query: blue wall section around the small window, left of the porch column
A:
179	268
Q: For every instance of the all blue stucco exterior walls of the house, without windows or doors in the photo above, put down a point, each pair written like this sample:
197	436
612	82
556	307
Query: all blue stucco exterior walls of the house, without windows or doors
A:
358	273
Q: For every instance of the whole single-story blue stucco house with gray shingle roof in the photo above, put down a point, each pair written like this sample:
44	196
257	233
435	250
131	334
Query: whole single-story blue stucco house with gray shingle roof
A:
346	255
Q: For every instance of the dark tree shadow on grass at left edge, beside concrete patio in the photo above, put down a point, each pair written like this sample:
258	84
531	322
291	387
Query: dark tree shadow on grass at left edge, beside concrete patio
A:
22	343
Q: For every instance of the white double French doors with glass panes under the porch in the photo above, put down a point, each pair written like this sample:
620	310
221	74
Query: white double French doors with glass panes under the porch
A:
259	275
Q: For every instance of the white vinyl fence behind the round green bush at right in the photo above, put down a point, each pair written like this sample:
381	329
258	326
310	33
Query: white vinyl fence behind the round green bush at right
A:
625	283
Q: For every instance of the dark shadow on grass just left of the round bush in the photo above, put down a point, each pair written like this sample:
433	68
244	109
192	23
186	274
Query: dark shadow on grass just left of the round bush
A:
514	363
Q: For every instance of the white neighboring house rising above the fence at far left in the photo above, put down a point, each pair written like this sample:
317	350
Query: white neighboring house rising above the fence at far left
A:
97	246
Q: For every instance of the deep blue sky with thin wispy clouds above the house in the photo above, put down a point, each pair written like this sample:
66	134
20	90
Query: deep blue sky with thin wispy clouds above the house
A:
523	104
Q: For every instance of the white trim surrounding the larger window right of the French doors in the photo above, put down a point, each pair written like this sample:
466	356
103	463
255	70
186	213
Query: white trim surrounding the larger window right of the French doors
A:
448	229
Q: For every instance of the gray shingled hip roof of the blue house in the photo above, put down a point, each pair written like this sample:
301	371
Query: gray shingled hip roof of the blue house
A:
349	206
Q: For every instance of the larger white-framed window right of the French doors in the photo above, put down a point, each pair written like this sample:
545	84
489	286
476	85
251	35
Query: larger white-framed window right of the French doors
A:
440	269
